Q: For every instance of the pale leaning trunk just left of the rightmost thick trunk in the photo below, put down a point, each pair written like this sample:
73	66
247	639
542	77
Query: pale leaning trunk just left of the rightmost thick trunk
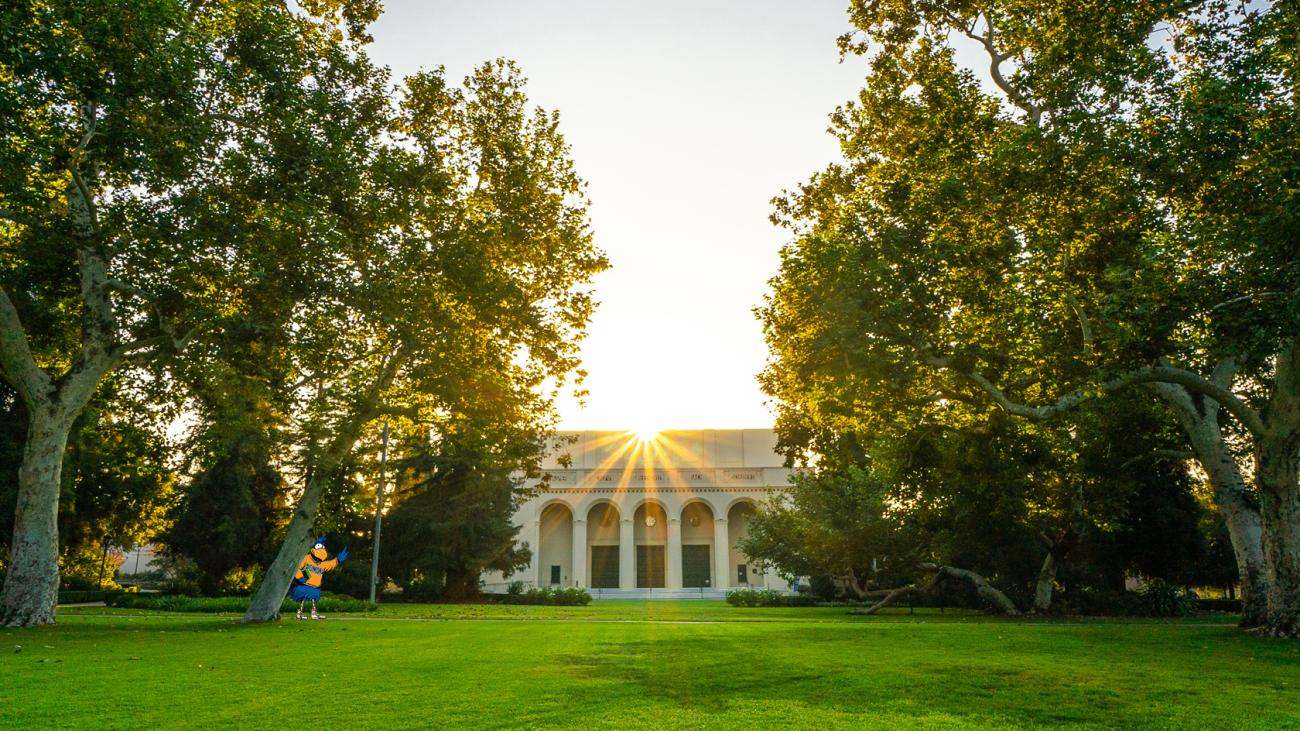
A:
1236	503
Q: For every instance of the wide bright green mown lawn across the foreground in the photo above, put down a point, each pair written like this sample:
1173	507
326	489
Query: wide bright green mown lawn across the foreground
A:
652	665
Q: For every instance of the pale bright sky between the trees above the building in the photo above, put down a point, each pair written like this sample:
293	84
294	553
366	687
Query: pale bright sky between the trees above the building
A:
686	119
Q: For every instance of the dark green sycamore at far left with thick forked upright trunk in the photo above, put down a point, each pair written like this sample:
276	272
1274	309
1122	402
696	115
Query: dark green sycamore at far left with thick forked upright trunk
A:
120	127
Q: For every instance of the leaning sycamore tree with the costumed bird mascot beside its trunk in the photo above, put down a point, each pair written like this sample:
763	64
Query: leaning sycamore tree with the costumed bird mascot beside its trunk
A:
465	289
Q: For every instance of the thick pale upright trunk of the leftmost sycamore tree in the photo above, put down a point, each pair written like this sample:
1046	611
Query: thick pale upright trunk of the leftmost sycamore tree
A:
32	585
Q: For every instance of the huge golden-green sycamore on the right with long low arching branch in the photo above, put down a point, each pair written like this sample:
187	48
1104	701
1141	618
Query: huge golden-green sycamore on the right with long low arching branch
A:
1111	204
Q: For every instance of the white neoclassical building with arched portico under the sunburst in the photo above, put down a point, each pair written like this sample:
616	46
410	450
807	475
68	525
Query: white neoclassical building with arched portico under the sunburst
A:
651	516
